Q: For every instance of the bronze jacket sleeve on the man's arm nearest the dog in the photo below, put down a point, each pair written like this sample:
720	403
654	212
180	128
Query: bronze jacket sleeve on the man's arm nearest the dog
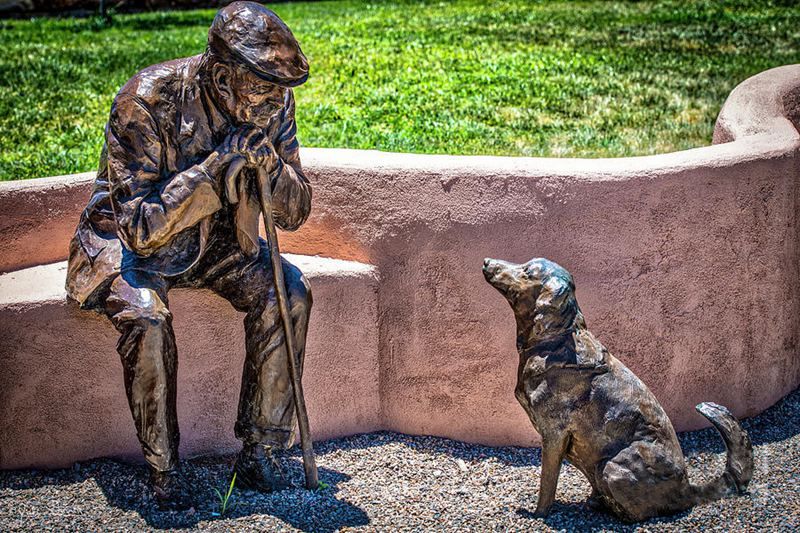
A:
291	191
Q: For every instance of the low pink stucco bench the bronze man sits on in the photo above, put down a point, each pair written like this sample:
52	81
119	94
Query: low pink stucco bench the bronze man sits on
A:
62	397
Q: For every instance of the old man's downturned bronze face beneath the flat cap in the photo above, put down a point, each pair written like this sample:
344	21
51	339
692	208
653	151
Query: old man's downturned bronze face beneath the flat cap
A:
253	100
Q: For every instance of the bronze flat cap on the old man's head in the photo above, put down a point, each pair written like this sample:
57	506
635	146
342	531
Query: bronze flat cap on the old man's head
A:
255	37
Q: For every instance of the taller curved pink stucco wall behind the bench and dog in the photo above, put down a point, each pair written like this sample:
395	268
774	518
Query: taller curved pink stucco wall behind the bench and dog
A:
686	263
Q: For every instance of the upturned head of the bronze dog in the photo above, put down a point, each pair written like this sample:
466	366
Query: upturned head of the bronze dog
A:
541	293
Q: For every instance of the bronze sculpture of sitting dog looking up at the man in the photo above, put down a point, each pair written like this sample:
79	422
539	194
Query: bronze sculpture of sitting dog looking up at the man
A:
592	410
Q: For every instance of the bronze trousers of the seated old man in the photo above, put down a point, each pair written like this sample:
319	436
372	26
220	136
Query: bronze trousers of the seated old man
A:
137	305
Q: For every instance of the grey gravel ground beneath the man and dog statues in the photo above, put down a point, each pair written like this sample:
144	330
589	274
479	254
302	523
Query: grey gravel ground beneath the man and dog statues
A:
387	481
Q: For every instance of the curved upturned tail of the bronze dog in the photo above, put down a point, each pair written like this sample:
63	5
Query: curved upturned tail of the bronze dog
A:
739	468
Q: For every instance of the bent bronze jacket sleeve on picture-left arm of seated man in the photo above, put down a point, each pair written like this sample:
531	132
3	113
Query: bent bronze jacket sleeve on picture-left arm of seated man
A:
150	207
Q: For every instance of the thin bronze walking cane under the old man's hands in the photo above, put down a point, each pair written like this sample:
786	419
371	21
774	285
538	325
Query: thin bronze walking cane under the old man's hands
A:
265	197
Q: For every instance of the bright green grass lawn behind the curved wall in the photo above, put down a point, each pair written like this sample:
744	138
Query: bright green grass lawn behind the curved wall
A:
566	79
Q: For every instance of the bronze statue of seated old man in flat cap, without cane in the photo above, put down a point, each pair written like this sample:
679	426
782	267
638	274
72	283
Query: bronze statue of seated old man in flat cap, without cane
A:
175	204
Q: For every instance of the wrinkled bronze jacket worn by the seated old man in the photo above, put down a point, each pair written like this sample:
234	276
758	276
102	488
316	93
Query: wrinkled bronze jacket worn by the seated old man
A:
152	205
